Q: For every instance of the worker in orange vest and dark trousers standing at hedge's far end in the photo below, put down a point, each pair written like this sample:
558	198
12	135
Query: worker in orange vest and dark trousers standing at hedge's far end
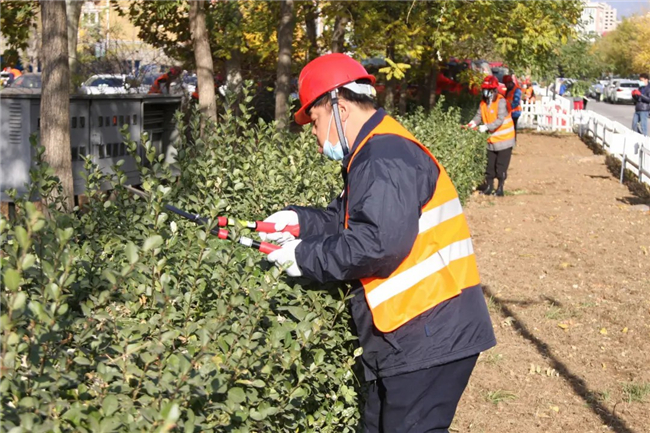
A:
493	117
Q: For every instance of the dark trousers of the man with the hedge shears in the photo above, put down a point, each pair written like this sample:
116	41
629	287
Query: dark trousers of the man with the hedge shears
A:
423	401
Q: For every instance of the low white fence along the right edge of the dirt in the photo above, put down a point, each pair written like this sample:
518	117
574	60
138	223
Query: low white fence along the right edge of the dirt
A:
632	148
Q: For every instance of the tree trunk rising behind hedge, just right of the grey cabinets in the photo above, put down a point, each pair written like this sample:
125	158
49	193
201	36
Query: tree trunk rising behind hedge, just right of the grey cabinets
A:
203	59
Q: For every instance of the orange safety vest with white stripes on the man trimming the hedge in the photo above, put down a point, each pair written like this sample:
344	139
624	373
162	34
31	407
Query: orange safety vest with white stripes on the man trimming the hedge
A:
442	261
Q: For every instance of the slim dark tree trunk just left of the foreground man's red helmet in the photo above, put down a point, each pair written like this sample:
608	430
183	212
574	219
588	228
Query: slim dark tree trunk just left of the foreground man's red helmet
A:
283	80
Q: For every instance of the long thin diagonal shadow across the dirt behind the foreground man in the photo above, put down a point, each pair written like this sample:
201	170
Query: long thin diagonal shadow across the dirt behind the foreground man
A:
578	384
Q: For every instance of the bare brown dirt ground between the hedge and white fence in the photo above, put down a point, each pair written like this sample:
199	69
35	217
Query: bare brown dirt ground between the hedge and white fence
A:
565	260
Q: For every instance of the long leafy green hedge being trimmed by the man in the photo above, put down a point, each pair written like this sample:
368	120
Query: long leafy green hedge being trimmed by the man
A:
123	317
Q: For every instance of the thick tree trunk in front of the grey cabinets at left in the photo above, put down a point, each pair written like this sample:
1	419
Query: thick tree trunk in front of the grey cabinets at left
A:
55	97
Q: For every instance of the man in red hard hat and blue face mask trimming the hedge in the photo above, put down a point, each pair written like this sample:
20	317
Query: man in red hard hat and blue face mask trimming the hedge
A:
398	234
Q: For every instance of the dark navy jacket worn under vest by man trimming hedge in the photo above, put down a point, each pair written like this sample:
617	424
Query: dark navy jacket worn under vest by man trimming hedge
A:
391	180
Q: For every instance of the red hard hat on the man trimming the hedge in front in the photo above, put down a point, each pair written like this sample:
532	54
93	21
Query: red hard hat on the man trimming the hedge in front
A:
323	74
